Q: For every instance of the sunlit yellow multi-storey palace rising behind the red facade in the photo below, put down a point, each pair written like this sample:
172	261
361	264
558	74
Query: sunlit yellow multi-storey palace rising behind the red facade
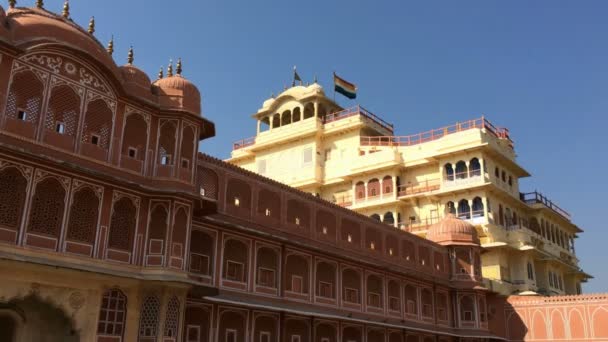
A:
353	158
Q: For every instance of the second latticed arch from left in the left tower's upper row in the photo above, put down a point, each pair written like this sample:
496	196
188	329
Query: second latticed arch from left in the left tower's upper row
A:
61	121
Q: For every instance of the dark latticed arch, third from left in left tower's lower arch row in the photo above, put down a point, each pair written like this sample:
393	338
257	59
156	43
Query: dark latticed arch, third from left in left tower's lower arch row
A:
84	214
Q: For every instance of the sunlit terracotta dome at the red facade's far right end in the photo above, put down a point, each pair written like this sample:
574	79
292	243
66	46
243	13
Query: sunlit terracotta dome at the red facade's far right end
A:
453	231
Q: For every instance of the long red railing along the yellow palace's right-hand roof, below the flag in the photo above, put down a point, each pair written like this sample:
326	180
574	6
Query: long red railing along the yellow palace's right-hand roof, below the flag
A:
435	134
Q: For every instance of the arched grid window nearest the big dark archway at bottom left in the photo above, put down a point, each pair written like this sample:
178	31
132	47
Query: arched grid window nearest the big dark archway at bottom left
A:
112	313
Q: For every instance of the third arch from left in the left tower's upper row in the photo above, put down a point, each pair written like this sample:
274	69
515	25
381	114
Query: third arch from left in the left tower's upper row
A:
97	130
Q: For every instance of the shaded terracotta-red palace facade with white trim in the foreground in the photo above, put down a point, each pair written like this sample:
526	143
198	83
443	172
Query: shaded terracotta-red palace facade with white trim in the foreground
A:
114	227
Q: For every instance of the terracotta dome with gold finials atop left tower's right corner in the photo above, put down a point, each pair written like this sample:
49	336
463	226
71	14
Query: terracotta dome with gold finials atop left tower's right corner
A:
177	93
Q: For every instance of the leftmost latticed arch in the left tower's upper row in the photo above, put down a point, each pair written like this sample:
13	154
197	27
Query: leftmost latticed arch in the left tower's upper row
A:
24	104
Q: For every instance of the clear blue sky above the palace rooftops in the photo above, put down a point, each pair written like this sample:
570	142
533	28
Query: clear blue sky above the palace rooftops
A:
539	68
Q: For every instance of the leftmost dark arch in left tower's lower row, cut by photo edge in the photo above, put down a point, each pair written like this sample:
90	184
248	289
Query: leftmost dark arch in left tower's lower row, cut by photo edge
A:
13	187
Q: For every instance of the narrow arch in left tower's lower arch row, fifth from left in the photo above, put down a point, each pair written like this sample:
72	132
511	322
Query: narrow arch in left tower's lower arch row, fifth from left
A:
157	235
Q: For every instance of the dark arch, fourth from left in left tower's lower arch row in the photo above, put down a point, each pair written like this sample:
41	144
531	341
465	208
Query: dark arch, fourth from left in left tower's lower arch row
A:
122	224
